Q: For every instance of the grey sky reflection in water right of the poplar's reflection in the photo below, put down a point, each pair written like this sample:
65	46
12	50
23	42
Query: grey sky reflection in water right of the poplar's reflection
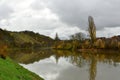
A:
108	72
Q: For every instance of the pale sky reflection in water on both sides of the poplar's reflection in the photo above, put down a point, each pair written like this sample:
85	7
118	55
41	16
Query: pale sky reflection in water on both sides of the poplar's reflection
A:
64	70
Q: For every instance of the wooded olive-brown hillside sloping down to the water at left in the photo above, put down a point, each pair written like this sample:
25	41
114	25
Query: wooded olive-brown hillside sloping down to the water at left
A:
24	39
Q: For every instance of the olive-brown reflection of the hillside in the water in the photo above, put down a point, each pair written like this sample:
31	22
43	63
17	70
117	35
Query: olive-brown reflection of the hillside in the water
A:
29	56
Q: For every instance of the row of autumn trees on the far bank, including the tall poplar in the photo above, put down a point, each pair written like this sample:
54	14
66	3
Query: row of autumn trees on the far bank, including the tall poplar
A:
78	41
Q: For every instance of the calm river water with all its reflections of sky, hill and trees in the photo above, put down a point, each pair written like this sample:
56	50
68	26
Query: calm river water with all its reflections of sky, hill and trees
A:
66	65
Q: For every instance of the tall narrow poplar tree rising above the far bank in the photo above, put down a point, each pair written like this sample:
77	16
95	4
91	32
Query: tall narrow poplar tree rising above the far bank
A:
92	29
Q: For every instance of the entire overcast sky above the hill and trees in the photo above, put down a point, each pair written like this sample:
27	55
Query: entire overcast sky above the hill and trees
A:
65	17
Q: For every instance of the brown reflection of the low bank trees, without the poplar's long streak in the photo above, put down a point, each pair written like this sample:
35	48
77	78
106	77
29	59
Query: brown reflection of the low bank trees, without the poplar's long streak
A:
81	58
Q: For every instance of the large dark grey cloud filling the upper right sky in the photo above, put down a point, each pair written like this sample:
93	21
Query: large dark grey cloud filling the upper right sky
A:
106	13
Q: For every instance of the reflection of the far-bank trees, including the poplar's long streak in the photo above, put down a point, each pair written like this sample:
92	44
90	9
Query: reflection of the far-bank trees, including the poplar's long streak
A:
81	59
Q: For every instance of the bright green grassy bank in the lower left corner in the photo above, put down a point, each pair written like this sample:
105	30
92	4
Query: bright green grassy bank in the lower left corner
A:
10	70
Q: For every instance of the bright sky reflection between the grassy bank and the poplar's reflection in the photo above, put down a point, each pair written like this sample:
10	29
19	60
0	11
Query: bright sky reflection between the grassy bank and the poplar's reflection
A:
63	70
